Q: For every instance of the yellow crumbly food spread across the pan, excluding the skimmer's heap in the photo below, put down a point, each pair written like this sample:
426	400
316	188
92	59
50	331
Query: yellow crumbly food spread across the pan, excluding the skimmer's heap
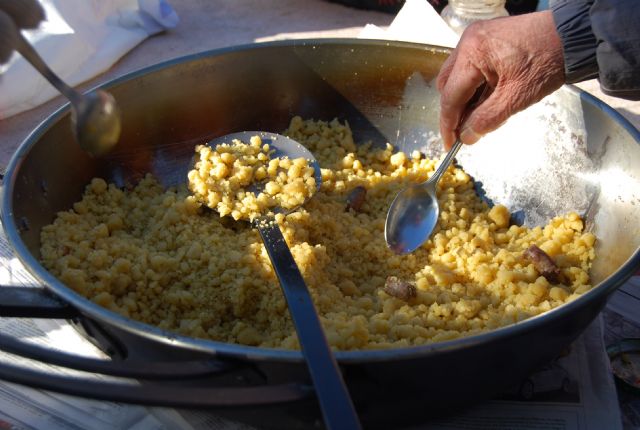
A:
155	256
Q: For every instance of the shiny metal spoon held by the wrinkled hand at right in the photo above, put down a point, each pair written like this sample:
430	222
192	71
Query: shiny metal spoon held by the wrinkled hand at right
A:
414	212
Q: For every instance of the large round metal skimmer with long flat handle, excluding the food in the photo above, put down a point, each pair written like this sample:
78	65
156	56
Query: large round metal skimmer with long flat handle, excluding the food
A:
337	408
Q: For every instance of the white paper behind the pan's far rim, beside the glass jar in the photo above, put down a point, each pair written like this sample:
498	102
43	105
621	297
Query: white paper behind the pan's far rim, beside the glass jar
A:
417	21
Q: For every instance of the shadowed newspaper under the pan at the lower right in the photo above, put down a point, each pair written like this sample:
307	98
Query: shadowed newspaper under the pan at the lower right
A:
573	392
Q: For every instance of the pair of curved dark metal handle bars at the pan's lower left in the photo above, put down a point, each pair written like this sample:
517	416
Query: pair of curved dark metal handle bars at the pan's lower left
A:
171	383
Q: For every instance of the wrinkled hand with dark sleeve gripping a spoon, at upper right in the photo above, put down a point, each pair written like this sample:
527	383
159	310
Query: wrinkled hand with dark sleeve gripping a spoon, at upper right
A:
519	58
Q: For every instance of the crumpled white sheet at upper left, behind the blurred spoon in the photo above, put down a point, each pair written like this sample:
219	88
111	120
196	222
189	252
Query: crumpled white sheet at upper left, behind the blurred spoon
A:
79	40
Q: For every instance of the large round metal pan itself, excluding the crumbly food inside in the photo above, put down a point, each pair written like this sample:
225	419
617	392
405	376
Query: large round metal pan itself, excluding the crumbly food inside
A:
569	152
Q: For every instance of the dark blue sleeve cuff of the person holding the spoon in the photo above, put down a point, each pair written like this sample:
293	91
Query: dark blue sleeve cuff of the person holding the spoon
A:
601	38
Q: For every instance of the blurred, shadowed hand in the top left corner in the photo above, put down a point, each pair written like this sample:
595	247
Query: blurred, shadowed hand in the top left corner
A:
14	16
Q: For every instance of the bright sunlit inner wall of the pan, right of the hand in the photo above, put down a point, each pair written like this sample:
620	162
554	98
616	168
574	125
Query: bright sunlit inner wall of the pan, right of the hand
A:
569	156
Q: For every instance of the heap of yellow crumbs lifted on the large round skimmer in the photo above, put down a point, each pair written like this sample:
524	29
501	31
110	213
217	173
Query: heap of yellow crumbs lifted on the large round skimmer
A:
223	175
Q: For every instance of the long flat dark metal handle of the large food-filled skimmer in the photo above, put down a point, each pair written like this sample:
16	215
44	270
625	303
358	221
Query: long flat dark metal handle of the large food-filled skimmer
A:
337	408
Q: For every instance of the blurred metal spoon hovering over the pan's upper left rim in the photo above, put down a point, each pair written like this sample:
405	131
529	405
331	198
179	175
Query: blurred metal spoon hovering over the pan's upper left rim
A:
95	116
